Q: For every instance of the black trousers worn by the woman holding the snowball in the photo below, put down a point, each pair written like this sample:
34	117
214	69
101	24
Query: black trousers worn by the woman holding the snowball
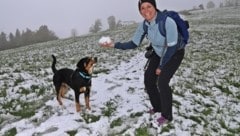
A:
157	87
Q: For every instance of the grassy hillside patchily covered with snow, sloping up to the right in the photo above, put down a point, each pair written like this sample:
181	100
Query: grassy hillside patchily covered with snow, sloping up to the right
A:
206	88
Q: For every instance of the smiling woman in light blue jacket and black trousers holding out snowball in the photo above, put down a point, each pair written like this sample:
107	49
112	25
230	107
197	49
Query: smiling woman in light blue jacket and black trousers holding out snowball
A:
157	75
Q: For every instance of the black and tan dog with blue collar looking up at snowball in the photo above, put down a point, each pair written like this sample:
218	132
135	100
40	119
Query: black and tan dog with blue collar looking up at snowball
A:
79	80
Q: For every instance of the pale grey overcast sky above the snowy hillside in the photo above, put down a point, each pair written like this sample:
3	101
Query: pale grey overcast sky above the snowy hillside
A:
61	16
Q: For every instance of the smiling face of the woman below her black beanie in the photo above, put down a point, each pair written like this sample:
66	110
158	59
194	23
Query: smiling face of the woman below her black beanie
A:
148	11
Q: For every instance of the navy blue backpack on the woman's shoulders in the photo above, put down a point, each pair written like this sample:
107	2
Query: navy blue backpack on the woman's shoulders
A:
182	26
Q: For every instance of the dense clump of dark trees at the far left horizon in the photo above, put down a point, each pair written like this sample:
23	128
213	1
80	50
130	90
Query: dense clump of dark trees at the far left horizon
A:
26	37
